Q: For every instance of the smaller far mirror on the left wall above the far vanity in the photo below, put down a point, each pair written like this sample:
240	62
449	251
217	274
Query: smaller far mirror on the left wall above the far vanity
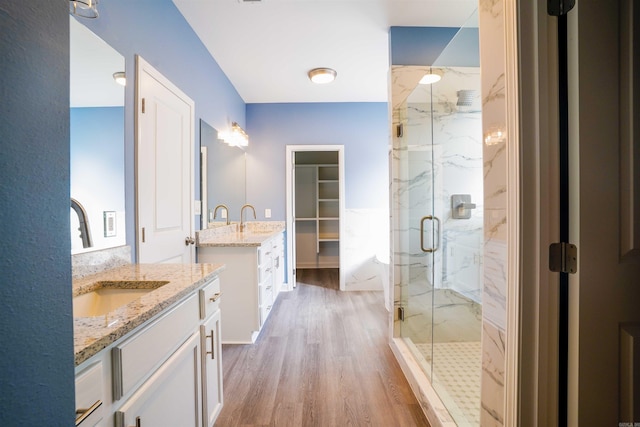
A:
225	176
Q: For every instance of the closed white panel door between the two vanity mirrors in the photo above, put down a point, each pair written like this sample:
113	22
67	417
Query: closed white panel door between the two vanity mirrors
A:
164	169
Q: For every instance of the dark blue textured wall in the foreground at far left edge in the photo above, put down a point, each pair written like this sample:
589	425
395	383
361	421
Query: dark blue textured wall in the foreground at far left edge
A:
36	367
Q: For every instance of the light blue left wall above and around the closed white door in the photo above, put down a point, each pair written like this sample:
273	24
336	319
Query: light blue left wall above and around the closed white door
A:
157	31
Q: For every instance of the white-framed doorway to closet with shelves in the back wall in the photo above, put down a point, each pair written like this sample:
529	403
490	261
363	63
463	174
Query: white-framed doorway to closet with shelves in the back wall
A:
315	209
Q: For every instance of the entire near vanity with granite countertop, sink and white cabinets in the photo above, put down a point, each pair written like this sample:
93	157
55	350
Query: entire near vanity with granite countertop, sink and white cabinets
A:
156	359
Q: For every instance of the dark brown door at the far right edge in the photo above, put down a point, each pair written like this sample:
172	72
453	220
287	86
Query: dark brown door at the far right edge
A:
604	334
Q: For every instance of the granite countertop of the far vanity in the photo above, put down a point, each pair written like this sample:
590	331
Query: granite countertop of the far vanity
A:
255	234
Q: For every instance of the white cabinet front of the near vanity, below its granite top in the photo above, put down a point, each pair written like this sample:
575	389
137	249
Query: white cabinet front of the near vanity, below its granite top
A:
167	372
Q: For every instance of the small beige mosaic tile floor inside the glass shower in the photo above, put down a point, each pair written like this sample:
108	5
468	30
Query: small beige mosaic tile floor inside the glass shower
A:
457	368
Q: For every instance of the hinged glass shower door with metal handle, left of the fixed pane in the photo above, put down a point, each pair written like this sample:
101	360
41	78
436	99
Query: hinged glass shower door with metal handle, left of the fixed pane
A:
419	237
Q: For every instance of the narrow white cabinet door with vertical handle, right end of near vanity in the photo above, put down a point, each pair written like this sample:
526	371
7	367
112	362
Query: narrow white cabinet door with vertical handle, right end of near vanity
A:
211	369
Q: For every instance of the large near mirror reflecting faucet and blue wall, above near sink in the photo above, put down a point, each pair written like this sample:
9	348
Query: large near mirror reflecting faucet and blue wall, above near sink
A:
96	142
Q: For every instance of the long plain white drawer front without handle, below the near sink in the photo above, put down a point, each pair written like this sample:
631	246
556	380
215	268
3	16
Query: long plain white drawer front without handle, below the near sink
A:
135	358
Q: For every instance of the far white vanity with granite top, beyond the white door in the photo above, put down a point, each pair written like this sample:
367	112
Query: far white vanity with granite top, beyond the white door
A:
253	276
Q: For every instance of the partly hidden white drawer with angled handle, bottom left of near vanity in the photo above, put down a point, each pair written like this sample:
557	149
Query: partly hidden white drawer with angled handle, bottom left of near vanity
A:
89	396
